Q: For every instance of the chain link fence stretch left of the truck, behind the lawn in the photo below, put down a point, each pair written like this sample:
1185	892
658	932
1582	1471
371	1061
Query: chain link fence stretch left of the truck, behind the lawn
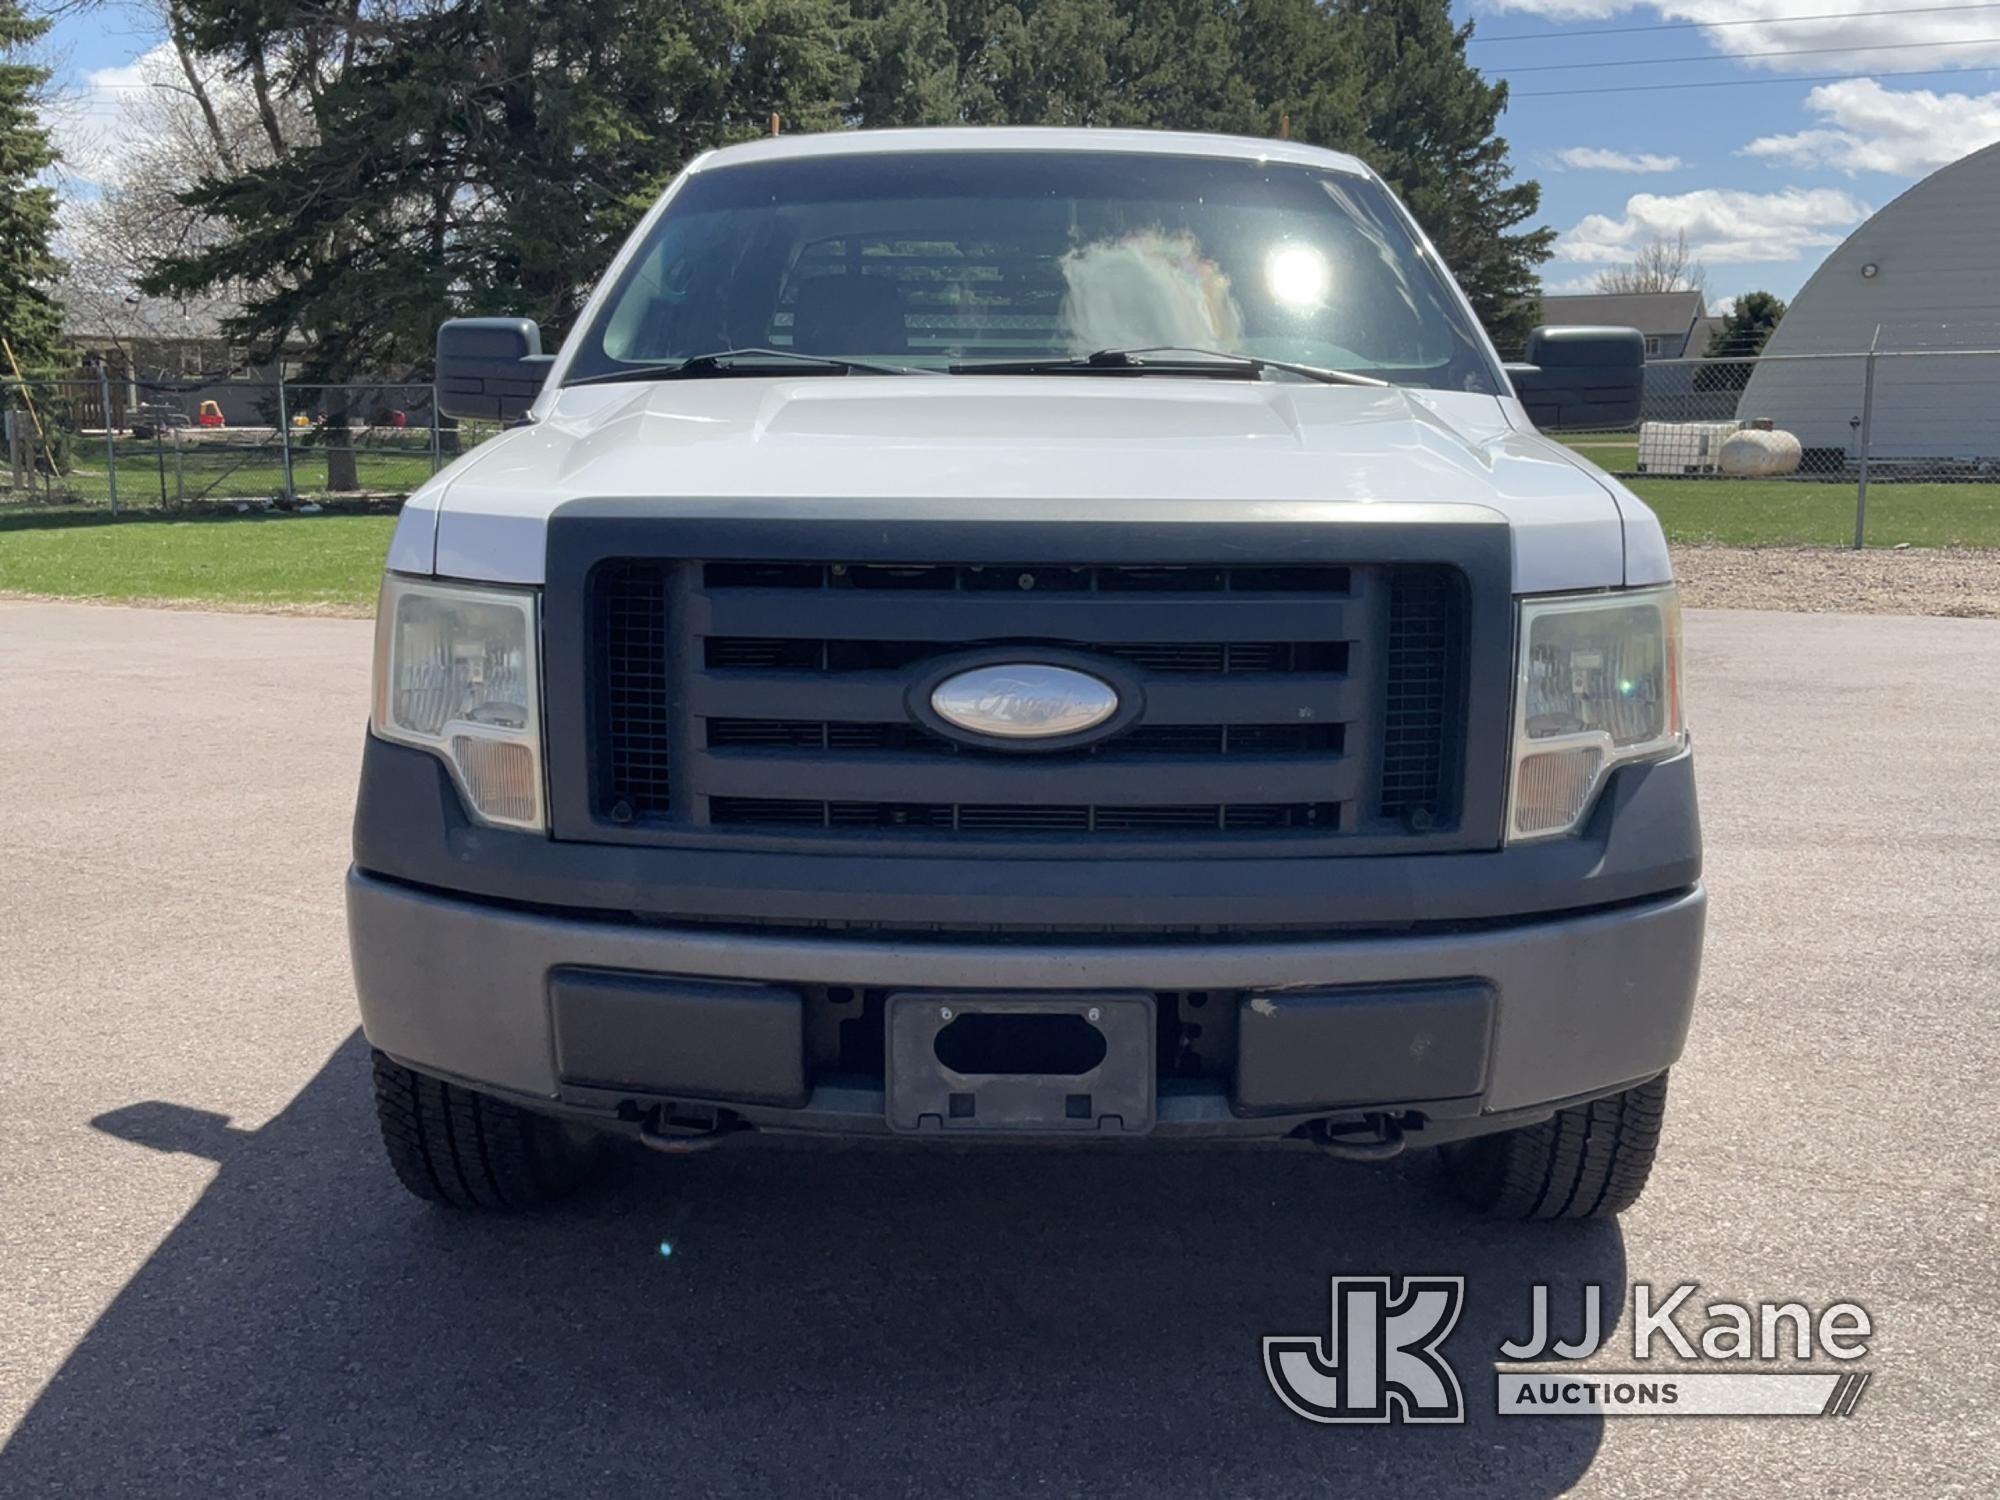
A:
149	445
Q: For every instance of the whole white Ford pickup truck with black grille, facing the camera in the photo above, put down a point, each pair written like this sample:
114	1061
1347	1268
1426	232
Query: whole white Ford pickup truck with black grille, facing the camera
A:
1029	635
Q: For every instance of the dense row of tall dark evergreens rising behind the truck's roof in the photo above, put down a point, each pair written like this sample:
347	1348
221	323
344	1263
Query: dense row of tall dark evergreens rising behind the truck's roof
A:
471	157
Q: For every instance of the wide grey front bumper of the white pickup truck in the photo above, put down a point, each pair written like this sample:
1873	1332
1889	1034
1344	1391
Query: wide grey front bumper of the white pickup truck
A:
1579	1005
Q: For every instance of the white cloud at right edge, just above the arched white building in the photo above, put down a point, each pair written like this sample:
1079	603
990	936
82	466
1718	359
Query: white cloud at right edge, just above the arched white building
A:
1897	131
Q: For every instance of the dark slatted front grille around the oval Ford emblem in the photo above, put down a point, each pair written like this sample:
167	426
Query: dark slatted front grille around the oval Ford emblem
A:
1279	701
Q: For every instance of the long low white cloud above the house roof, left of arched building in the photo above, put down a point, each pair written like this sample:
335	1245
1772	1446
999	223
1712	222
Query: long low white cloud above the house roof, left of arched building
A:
1723	225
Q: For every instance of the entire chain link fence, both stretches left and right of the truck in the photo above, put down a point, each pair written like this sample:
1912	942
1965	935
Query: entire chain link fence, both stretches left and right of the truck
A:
1911	421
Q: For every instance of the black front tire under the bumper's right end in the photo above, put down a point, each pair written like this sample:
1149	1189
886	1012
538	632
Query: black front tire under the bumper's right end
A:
1589	1161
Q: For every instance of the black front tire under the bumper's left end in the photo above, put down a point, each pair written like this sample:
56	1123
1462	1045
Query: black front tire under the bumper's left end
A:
463	1149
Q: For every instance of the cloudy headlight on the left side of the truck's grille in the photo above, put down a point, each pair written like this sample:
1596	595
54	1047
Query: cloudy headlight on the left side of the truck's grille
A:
455	673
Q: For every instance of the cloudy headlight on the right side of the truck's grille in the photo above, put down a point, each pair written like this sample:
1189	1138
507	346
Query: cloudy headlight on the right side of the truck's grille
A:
1599	687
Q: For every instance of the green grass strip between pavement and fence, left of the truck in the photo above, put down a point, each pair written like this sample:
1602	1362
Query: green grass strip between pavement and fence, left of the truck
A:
257	561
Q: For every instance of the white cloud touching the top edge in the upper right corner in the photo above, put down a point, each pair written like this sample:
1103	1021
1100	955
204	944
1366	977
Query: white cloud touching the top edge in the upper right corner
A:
1825	43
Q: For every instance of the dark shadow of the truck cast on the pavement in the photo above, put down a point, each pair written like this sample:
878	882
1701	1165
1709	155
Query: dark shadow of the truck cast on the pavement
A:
779	1321
